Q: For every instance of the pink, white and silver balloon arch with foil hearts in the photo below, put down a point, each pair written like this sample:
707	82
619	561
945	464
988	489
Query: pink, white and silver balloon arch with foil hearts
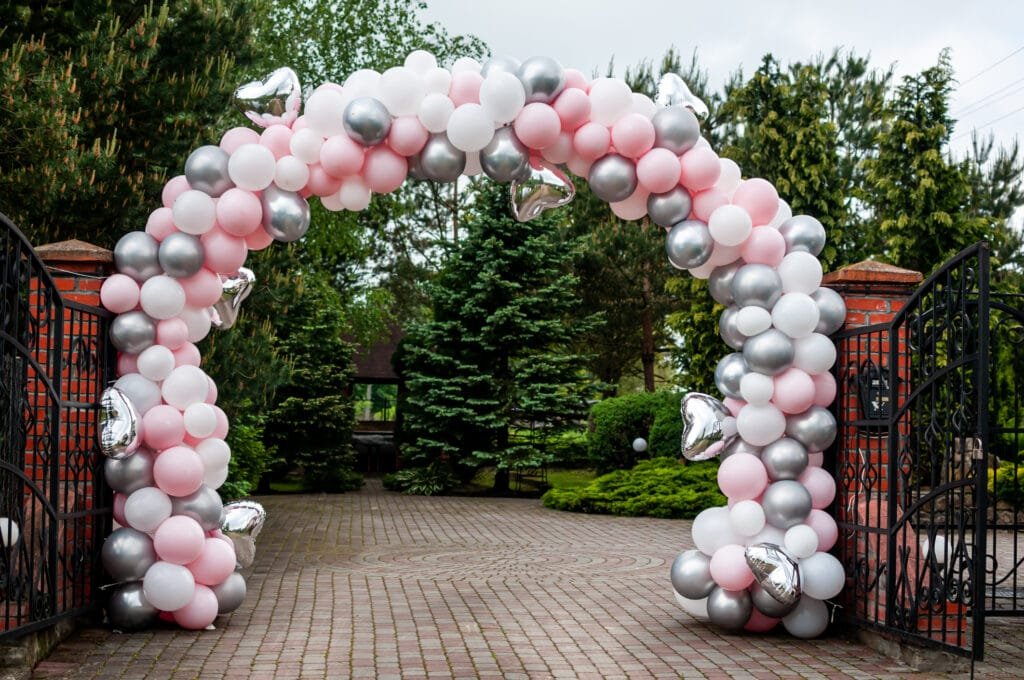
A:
760	561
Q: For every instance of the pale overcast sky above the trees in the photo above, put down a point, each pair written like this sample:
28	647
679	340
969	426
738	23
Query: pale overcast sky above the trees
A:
987	38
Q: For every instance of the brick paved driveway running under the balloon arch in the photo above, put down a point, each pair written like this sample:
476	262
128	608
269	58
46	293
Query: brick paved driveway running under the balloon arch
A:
380	585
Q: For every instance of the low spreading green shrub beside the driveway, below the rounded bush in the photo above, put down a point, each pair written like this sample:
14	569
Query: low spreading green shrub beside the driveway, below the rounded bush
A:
657	488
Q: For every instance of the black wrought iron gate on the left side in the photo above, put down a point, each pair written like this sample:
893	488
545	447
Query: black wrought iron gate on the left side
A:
54	366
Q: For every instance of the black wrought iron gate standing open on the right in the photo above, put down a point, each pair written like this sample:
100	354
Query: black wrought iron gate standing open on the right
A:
930	498
